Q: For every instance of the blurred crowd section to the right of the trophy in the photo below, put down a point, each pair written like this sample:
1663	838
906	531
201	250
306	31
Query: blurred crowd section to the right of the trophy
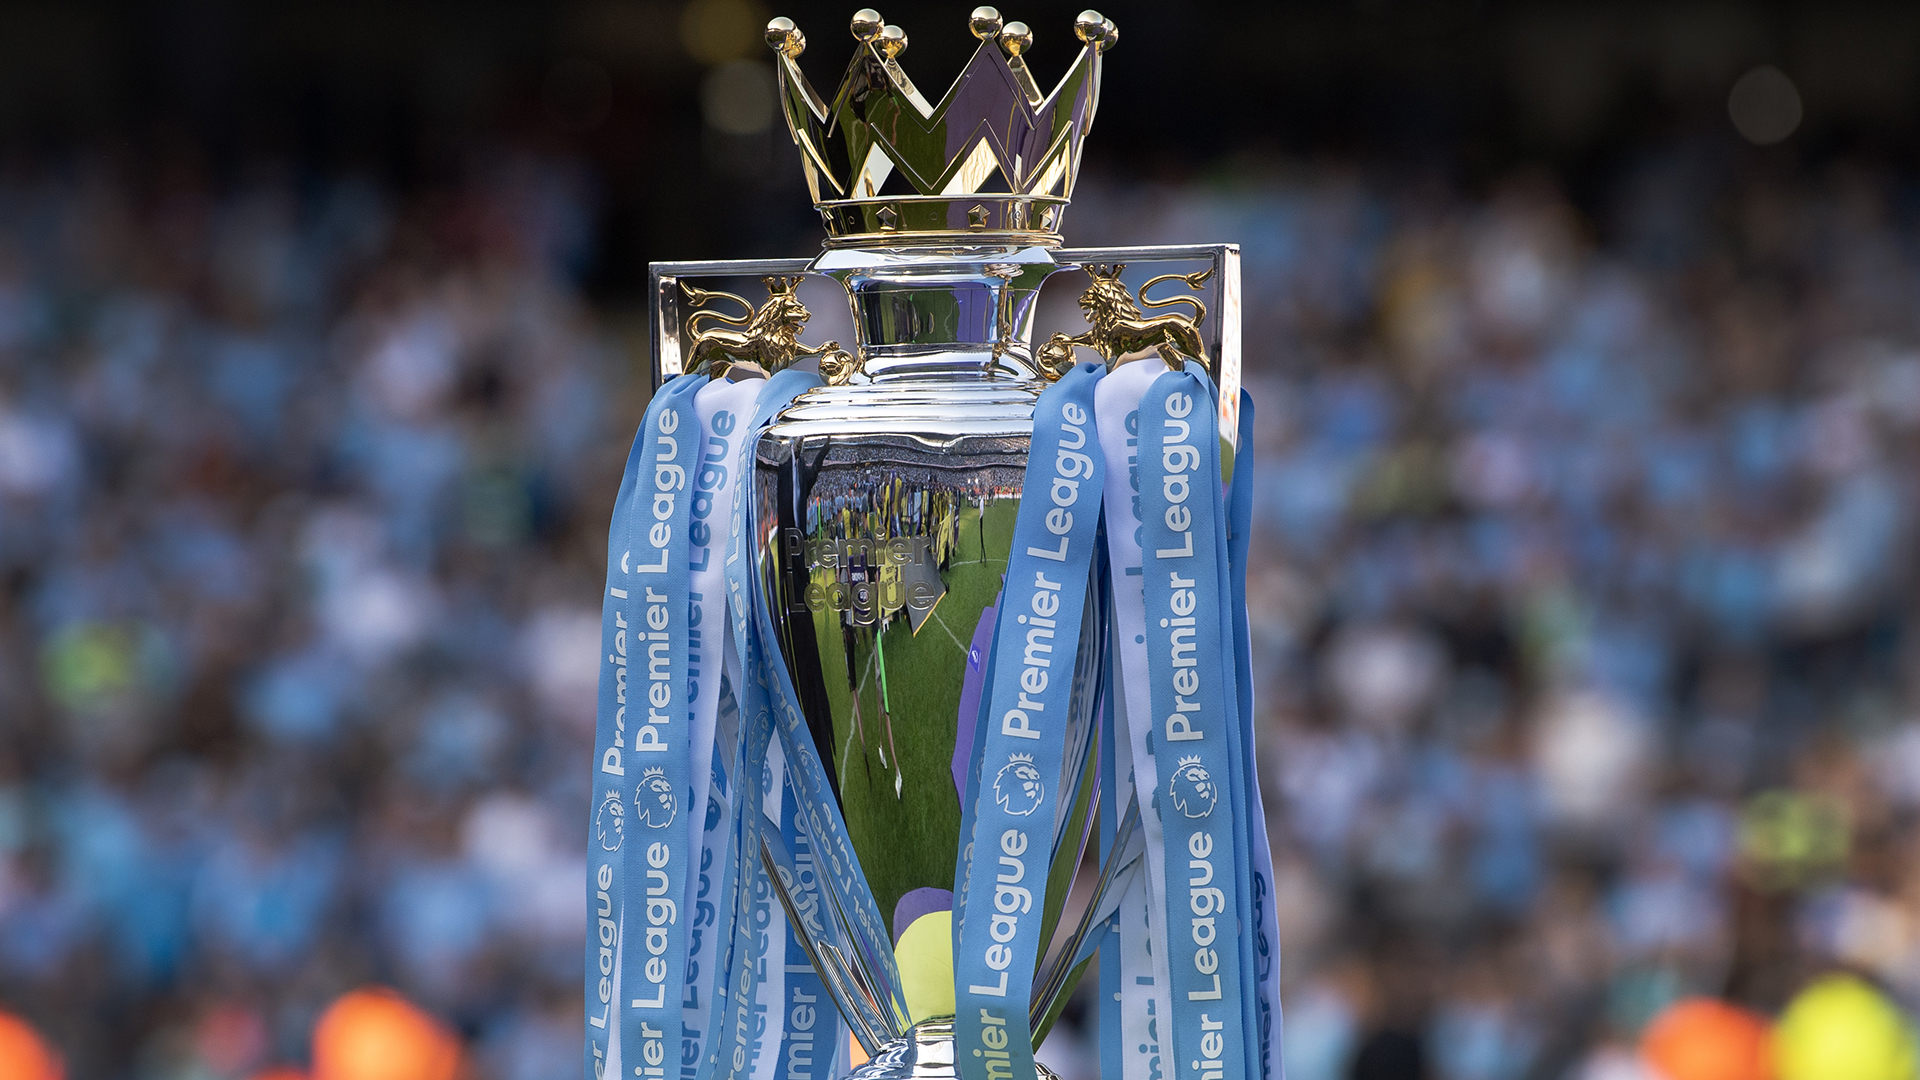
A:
1587	639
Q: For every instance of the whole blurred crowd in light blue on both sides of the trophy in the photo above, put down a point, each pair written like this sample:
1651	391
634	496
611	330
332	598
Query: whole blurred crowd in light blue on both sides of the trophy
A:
1589	658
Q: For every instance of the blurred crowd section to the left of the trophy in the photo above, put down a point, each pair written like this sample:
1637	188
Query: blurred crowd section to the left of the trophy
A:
302	528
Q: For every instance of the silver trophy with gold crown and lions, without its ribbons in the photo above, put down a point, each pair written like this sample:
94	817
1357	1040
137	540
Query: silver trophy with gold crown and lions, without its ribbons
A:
886	499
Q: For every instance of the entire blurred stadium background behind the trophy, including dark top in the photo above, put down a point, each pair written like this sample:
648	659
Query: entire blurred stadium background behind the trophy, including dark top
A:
1587	349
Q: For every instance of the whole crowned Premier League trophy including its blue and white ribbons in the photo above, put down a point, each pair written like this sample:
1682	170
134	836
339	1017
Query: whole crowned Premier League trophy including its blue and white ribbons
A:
930	624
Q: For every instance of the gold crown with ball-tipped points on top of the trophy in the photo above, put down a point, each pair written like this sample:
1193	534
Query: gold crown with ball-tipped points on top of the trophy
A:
994	159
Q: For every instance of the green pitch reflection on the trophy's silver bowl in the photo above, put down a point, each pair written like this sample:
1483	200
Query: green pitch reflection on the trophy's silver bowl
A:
898	785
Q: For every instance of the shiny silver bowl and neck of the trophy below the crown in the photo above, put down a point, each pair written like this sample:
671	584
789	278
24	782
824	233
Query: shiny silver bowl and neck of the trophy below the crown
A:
884	514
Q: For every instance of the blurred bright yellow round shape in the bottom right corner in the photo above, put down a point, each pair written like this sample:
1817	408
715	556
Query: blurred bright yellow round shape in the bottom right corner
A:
1842	1029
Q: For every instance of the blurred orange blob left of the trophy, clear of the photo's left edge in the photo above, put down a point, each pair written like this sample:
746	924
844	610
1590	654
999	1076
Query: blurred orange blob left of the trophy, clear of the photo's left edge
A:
377	1035
